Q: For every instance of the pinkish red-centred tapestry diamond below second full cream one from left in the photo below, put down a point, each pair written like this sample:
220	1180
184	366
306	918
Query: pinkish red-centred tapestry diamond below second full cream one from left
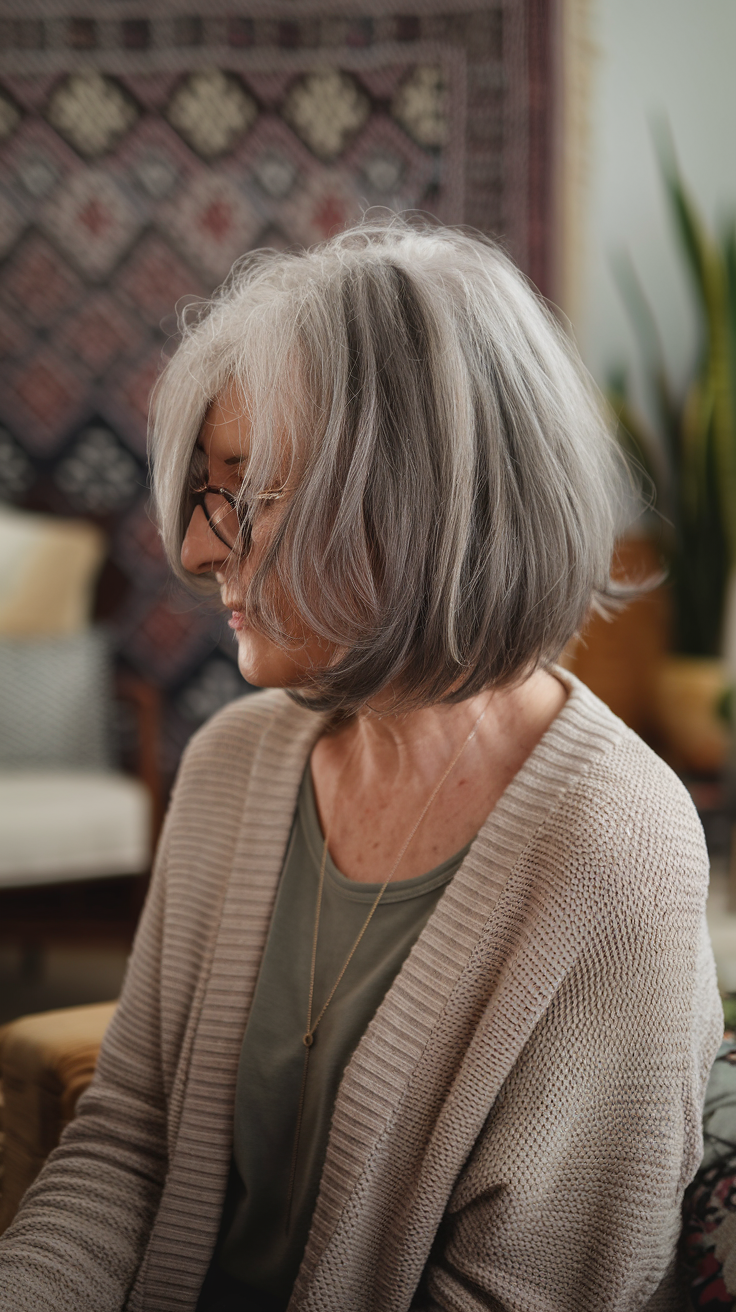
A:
215	224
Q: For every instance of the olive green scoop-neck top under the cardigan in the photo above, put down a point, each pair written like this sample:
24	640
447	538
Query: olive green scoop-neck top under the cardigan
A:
259	1243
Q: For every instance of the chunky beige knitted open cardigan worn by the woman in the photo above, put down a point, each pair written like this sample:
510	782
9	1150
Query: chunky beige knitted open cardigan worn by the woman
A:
516	1128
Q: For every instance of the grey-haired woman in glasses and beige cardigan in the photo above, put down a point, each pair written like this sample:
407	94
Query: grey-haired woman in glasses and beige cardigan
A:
422	1007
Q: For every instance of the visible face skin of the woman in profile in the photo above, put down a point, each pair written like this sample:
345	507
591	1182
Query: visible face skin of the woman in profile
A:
225	444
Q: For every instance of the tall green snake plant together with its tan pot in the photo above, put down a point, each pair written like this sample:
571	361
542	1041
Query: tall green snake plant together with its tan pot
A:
689	455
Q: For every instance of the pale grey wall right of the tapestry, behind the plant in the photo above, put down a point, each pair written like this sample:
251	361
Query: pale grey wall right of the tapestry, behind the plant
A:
645	58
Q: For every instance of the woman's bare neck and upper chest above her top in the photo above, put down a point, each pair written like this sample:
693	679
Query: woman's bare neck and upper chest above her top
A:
375	776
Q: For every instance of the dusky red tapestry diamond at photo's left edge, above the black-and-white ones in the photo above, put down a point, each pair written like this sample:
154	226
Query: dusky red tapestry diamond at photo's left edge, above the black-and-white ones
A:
44	398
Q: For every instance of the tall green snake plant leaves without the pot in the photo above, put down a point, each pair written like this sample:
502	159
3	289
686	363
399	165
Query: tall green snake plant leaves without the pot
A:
697	436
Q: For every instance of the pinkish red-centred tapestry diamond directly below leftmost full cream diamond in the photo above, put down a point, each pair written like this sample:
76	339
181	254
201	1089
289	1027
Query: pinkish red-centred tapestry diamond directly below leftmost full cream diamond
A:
92	221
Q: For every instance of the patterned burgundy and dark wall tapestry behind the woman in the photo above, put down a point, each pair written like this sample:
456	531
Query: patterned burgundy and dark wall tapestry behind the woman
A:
144	150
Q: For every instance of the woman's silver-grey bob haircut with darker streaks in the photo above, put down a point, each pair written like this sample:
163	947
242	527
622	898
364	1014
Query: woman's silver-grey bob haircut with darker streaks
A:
456	487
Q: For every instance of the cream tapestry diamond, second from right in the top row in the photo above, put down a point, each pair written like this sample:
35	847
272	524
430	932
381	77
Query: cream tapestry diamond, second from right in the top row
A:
326	110
